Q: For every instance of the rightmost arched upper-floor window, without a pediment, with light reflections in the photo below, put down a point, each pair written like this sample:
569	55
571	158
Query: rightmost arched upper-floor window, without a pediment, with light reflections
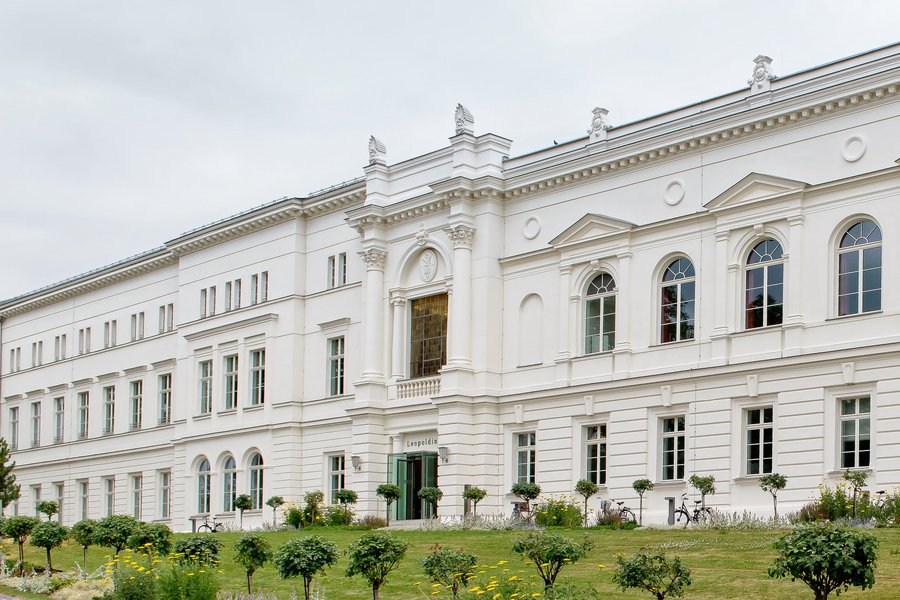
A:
859	269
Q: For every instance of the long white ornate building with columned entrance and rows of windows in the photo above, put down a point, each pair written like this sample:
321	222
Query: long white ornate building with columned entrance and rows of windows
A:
700	291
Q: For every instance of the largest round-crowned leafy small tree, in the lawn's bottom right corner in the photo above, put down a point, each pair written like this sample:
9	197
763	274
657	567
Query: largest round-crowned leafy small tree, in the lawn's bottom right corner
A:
826	558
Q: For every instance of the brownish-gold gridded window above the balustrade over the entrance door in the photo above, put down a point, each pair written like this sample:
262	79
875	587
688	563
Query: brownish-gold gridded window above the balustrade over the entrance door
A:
428	335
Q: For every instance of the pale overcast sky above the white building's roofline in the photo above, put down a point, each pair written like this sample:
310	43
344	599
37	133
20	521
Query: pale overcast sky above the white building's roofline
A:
126	123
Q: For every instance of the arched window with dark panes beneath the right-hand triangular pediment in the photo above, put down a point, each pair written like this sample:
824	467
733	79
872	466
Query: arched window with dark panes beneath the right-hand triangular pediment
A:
764	299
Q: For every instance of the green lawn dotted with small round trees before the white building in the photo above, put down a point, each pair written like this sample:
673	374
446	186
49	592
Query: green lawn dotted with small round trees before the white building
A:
726	564
